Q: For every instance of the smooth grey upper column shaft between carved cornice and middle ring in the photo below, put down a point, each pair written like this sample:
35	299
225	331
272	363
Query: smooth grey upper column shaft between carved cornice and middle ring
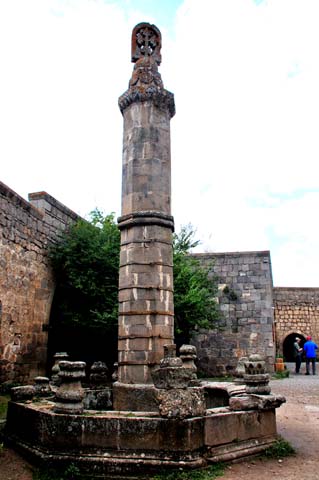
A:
146	184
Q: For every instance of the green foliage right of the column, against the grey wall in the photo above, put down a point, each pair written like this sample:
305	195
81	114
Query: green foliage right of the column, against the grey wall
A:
195	288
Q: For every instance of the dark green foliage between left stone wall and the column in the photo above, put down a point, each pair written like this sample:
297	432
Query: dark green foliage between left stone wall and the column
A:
86	265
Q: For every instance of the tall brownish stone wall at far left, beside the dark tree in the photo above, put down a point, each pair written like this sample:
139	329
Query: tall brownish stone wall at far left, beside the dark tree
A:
26	281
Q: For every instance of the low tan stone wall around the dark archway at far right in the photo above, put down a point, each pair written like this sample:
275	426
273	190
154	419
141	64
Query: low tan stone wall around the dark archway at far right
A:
296	311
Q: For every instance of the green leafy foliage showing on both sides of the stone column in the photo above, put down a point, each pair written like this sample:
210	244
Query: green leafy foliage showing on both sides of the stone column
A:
86	265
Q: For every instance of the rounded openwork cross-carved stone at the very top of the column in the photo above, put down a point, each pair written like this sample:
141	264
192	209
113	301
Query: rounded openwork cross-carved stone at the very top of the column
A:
146	42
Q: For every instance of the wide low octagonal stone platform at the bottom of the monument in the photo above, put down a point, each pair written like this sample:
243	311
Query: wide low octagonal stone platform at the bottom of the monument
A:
109	444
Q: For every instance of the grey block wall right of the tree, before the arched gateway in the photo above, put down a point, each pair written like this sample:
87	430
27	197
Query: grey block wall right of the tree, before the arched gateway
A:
245	298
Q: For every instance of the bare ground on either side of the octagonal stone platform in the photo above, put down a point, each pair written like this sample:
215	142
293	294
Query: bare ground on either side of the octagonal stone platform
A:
297	421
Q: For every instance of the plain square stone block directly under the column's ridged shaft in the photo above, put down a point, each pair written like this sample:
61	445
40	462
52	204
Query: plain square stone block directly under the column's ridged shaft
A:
134	398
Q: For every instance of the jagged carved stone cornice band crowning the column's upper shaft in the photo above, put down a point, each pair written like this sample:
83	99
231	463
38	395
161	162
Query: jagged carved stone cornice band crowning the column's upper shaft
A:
162	98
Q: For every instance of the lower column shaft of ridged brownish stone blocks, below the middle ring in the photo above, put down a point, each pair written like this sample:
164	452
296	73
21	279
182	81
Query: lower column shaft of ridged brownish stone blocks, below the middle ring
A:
145	299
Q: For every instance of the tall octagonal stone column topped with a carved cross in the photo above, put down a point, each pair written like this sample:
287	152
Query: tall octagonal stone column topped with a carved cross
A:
146	313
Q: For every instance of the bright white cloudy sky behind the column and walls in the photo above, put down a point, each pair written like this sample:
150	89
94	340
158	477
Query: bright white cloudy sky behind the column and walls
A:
245	138
